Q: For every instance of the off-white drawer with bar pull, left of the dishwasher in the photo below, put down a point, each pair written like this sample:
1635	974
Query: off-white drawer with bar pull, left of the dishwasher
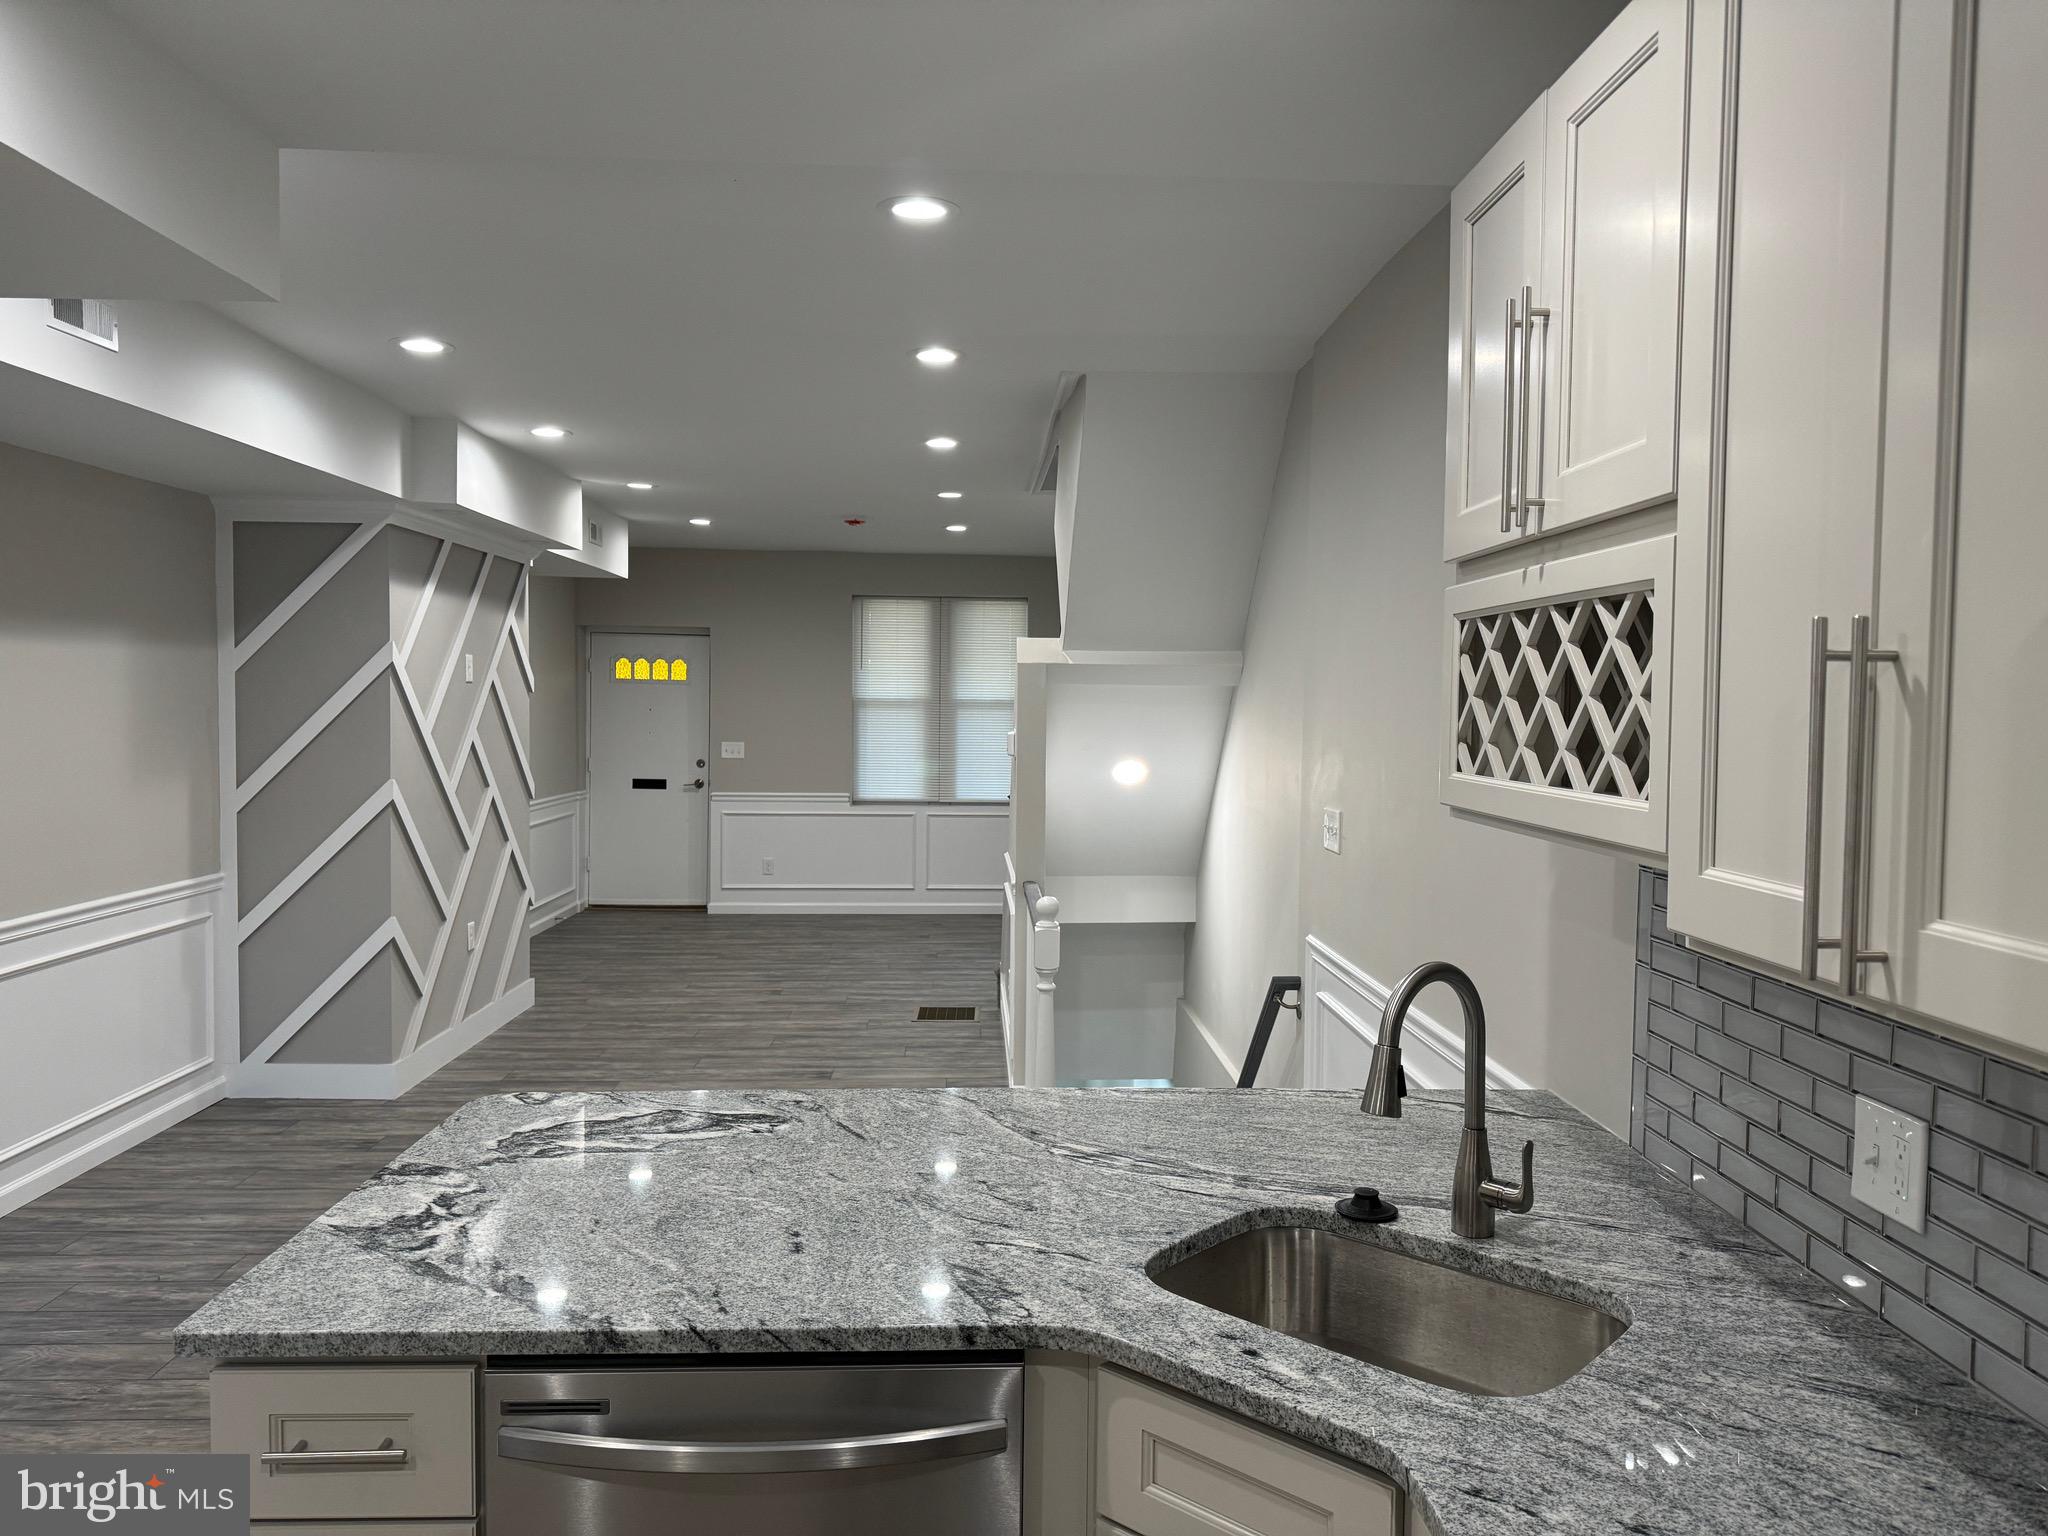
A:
425	1412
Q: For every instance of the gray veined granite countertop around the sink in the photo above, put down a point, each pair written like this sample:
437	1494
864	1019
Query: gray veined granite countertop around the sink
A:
1744	1398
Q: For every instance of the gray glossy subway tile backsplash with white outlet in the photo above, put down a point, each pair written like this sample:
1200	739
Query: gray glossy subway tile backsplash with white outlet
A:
1746	1089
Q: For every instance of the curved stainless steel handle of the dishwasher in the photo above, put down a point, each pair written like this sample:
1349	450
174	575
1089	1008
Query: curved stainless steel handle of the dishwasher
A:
615	1455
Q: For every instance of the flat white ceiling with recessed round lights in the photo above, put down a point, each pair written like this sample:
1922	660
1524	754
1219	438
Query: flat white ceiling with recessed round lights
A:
656	220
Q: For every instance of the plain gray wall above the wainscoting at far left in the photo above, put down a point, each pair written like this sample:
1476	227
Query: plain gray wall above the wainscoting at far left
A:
108	685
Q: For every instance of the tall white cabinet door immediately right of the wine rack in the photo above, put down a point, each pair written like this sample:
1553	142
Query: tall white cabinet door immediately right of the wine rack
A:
1779	454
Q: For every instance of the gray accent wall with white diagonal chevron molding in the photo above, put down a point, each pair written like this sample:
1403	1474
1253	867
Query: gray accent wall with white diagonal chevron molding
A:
382	790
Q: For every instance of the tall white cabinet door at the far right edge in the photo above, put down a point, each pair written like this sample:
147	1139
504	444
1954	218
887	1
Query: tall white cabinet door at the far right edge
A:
1961	820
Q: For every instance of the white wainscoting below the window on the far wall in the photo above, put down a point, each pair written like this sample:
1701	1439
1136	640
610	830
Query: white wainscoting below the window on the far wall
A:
824	853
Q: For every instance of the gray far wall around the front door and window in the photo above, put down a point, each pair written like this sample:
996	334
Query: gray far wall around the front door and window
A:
781	642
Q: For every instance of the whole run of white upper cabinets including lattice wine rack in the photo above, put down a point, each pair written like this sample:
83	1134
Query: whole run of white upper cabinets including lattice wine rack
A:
1842	691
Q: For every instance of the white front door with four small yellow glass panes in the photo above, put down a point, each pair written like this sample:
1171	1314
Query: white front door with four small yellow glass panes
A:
650	726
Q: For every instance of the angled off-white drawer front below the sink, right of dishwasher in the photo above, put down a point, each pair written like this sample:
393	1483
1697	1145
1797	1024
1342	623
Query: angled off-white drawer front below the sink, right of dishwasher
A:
1170	1467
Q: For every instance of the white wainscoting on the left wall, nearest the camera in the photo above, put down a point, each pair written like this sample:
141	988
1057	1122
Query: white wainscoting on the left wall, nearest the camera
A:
110	1029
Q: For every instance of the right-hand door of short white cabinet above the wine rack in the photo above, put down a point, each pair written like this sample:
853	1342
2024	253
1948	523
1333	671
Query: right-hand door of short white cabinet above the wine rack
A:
1615	159
